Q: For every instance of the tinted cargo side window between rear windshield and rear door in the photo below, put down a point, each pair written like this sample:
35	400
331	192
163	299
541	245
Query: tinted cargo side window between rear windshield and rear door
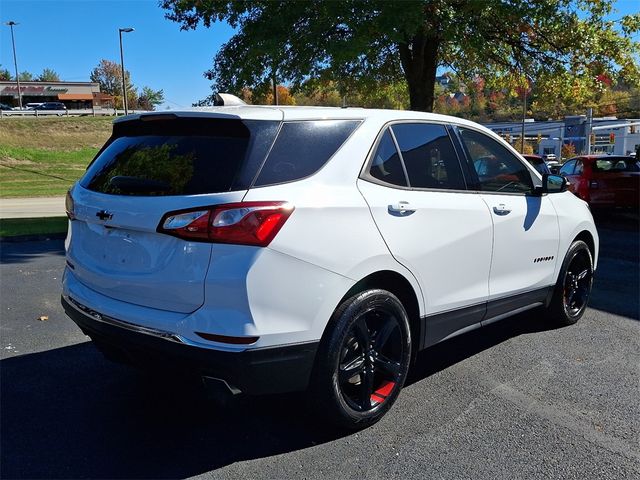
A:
303	148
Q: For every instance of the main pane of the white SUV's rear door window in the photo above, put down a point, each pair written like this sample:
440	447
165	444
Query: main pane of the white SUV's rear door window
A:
429	156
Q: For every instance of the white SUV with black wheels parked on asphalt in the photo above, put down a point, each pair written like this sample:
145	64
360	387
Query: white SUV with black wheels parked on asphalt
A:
278	249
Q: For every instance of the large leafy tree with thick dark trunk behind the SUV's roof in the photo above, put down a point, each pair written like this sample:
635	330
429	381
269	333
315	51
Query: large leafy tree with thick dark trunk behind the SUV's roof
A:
355	42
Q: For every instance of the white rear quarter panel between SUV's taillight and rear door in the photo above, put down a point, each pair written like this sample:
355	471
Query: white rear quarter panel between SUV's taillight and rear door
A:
331	226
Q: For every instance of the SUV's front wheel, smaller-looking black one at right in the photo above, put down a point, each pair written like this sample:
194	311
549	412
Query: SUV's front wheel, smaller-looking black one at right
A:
573	288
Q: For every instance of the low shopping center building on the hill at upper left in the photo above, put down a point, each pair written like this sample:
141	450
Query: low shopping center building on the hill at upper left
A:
75	95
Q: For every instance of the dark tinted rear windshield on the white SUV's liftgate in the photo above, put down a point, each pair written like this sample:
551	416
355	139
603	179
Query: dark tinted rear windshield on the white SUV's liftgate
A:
180	156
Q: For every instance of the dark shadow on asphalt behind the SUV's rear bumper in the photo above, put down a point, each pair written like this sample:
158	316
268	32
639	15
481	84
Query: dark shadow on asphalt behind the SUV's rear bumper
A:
69	413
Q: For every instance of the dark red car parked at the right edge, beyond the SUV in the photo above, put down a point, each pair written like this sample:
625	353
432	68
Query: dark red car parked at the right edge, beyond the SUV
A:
604	180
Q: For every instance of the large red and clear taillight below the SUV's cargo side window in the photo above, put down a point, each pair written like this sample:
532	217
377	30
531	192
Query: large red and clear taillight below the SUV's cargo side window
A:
246	223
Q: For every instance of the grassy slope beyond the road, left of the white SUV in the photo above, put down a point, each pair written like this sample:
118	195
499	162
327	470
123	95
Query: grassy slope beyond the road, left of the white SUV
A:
44	156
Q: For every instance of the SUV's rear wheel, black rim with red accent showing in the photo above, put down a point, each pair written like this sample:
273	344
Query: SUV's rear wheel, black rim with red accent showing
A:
363	360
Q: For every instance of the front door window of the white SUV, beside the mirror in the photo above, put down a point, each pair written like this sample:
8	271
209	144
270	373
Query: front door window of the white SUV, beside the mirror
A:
497	168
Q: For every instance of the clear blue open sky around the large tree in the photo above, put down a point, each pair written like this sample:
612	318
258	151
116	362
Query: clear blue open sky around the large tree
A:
72	36
